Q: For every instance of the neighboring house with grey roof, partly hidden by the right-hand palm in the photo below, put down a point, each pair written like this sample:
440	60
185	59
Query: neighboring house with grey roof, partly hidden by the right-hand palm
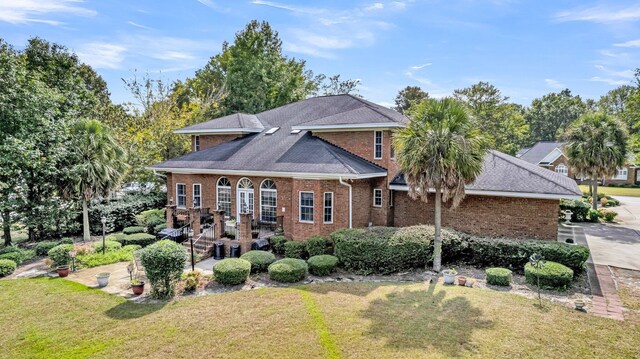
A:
550	155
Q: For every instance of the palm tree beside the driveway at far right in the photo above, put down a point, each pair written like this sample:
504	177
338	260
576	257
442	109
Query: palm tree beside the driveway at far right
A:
596	147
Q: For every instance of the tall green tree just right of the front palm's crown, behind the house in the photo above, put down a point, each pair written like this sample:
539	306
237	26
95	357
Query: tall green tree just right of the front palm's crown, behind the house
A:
501	123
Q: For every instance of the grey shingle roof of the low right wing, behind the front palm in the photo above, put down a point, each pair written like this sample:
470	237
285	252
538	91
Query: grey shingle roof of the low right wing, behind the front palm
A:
504	173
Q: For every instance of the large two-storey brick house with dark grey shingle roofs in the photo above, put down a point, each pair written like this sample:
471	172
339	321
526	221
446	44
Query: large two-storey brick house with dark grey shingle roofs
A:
327	163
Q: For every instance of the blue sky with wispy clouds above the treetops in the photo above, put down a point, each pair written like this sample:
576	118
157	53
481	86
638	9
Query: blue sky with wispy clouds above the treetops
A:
525	48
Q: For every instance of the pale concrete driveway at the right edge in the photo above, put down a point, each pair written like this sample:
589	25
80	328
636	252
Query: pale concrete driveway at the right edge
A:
617	244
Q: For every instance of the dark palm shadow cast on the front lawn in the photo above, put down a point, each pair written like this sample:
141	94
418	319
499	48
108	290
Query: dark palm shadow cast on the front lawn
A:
425	320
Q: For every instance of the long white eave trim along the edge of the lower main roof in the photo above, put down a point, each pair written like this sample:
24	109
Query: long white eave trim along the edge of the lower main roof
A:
301	175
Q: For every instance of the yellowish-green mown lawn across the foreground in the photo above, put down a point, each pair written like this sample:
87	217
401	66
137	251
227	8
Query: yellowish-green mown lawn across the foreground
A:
56	318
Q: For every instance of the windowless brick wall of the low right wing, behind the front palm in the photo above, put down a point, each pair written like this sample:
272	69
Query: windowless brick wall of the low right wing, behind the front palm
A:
485	215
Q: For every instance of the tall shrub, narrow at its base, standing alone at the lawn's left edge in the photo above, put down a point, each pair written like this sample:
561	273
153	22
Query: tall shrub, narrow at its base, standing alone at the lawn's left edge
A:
163	264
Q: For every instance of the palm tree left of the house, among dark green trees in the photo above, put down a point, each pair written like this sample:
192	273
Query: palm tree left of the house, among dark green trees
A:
98	164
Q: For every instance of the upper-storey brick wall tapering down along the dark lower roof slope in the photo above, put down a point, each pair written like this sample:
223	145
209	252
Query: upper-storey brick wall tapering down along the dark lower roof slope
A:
361	143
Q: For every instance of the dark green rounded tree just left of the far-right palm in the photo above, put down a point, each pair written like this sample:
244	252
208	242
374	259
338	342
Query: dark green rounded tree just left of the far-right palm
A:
549	116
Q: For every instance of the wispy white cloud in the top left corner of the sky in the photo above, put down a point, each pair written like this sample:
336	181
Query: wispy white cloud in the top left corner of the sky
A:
40	11
